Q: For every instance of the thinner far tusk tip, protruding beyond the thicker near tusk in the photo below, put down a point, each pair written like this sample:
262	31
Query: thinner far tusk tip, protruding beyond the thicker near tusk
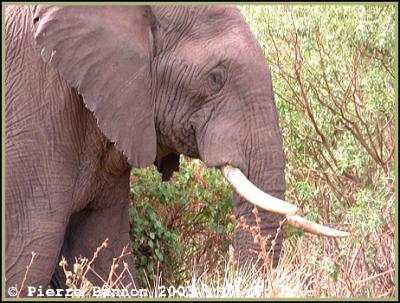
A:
314	228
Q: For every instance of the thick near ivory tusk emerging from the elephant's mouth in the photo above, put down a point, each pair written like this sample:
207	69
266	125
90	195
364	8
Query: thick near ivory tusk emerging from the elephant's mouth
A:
247	190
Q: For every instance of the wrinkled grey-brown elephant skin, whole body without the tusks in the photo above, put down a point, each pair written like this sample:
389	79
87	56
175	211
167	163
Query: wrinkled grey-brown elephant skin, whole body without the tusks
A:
157	82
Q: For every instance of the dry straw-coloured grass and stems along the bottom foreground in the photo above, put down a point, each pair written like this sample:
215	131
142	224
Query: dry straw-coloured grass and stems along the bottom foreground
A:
310	267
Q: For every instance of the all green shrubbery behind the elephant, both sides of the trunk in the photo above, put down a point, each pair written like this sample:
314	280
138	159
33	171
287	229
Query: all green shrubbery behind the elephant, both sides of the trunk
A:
334	74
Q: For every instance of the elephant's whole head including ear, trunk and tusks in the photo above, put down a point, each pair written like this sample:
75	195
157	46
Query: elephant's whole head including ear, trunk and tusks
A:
164	81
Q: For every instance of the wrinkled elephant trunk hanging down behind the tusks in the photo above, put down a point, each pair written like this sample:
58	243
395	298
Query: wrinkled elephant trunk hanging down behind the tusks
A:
259	234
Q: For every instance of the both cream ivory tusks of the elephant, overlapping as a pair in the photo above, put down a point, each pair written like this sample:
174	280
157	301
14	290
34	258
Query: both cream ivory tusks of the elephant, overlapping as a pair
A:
248	191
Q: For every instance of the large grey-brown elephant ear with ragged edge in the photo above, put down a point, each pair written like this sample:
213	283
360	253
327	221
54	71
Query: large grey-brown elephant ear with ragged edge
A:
105	52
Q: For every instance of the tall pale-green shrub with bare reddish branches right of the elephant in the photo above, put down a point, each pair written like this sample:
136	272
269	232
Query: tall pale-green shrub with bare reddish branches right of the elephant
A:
333	69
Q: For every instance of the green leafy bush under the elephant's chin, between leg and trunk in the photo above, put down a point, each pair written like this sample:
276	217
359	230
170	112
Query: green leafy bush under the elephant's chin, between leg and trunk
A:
180	223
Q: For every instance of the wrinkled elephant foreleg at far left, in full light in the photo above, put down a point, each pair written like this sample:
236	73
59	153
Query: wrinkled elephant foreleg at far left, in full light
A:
42	237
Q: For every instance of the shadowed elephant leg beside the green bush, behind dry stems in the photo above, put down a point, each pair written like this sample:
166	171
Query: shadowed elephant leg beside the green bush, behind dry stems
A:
86	231
